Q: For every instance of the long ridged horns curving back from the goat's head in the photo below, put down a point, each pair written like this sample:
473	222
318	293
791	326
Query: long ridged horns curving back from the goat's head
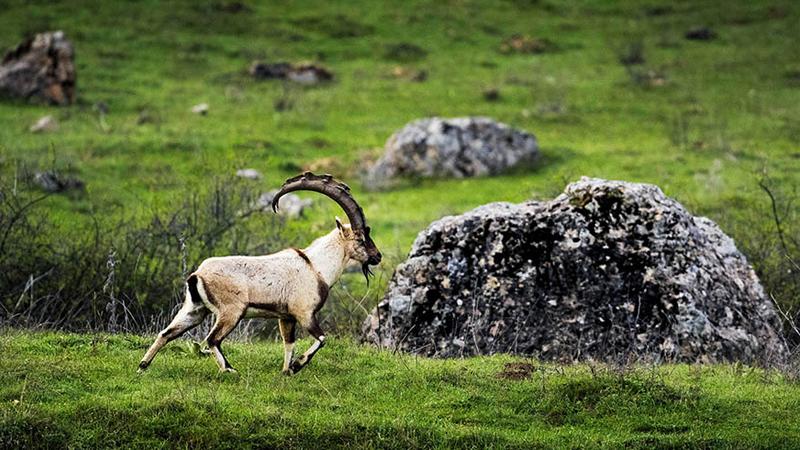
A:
327	185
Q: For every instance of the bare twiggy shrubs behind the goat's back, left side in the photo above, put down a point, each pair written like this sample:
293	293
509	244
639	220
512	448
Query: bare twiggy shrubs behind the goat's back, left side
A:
120	277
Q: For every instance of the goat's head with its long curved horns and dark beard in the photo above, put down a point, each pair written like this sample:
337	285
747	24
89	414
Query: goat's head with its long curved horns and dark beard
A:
359	244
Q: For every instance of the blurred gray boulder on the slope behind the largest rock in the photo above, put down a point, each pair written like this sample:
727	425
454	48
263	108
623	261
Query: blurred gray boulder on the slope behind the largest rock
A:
461	147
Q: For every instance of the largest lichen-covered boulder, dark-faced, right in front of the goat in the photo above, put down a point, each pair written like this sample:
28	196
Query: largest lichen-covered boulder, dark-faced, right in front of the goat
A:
608	270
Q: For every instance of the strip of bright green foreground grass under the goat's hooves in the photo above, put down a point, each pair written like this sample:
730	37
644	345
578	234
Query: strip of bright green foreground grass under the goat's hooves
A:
80	391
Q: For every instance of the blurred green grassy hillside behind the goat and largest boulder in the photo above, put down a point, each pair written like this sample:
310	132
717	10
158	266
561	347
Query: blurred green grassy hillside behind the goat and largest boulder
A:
734	95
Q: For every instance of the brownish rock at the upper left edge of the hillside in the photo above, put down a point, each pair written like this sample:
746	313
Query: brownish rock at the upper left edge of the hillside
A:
41	68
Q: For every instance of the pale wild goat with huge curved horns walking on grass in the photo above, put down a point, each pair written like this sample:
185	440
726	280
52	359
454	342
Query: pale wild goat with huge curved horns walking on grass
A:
291	285
